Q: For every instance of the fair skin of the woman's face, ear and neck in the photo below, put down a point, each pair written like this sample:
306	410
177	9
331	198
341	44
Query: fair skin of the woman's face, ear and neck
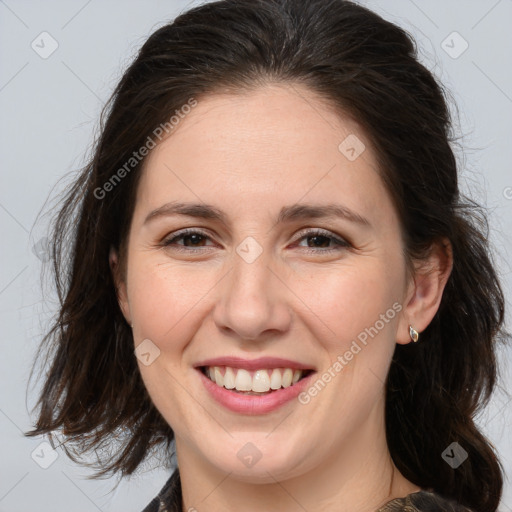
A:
250	155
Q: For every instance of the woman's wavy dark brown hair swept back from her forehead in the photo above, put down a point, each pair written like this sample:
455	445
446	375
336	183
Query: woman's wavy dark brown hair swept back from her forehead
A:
366	67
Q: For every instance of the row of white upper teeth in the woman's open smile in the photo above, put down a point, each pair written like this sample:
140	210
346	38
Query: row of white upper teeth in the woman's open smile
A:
261	381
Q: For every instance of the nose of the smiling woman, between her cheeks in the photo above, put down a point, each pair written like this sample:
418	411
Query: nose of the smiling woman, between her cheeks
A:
253	301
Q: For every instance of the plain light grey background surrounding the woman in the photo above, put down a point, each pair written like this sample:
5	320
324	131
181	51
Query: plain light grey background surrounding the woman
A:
49	110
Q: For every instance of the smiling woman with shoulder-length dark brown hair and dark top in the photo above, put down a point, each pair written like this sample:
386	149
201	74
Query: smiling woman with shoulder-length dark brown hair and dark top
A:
271	265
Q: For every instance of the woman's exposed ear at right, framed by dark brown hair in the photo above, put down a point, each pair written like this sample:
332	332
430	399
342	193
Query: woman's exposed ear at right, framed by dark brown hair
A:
425	290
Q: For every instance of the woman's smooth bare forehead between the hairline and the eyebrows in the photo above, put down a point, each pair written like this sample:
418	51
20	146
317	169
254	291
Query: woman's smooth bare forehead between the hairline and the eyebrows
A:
277	144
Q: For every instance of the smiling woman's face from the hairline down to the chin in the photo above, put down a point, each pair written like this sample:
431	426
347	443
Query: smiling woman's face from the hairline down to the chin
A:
263	276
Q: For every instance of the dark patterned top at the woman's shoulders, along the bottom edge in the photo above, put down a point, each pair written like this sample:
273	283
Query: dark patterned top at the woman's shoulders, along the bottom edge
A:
169	499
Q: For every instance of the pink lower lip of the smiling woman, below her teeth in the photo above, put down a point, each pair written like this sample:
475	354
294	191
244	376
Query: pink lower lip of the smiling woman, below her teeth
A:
253	404
